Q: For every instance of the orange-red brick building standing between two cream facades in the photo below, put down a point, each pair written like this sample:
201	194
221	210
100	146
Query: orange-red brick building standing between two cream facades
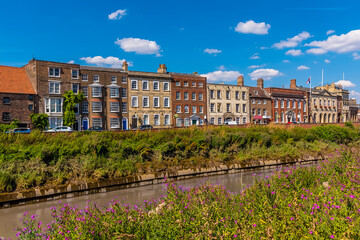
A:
188	99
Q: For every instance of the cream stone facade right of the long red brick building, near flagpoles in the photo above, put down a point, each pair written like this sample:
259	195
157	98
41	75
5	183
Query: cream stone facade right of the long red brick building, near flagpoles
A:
323	107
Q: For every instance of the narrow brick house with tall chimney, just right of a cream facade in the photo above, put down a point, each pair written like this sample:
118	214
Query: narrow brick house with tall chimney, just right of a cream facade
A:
260	104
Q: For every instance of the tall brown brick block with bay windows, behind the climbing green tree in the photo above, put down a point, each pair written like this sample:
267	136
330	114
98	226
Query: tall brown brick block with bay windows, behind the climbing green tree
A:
101	87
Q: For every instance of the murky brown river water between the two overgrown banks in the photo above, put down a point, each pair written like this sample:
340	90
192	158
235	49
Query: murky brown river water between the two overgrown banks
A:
10	217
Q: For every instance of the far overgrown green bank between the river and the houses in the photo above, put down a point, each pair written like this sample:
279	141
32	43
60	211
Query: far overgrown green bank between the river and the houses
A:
39	159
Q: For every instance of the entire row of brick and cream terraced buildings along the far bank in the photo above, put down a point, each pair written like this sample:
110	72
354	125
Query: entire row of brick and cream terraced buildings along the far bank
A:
120	99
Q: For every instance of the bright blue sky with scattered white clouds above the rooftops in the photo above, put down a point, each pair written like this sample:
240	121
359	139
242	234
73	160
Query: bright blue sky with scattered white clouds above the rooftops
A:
276	40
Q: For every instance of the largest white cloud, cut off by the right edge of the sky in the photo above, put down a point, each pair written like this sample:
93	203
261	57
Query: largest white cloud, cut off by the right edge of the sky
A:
344	43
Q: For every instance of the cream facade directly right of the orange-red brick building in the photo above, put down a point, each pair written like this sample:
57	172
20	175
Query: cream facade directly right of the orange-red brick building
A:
228	103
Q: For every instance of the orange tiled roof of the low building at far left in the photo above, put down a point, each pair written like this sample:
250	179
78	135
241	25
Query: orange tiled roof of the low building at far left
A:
15	80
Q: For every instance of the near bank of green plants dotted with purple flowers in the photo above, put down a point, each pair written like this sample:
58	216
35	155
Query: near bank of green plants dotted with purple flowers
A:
319	202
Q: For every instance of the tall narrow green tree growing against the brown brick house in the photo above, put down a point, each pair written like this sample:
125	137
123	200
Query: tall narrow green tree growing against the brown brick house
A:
70	100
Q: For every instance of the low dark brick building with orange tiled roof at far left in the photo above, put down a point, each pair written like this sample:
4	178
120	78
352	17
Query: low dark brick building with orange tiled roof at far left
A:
17	96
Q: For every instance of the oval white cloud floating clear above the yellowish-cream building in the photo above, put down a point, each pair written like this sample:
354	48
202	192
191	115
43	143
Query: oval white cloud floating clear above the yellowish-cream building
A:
139	46
